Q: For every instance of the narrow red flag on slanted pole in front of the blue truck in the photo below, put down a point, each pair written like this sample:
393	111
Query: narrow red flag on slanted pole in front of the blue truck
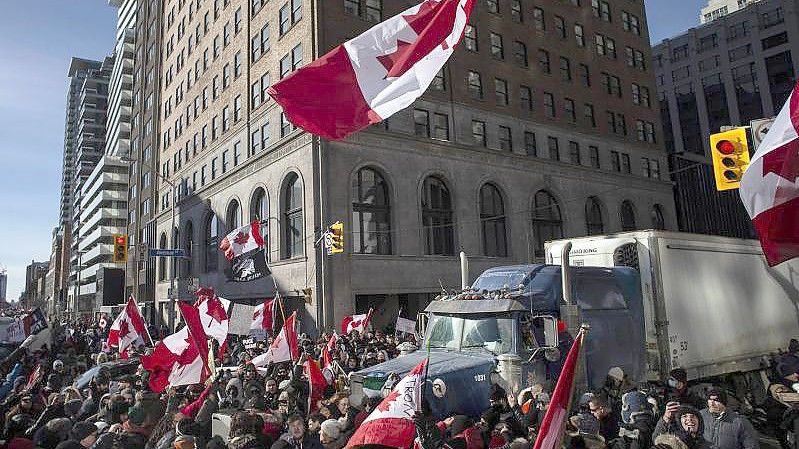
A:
554	422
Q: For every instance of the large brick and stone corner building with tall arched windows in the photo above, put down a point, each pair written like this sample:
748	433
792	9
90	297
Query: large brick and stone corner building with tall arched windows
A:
543	125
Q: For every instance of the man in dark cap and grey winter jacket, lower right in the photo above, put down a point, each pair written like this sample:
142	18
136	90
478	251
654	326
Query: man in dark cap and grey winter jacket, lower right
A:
725	429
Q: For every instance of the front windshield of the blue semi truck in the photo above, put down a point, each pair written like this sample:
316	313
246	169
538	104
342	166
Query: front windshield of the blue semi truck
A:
492	333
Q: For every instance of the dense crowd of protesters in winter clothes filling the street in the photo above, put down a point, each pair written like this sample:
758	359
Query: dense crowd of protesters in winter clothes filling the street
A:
42	409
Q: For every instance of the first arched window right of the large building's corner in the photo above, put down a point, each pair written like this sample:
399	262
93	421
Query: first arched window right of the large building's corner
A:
371	213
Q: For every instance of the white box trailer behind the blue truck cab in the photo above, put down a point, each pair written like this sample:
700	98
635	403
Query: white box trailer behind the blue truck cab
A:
711	304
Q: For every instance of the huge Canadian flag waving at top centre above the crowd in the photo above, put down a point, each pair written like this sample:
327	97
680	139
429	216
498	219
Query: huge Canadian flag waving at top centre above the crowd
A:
376	74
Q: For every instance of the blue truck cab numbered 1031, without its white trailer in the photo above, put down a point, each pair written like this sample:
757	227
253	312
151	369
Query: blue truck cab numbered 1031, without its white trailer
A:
501	331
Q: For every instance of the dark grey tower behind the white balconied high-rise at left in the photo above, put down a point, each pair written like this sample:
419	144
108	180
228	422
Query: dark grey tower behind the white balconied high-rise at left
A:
85	139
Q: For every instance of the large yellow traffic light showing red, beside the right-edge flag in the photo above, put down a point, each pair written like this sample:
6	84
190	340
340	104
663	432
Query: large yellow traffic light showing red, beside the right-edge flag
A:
730	151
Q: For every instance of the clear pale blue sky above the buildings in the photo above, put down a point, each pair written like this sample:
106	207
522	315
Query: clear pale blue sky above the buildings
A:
37	40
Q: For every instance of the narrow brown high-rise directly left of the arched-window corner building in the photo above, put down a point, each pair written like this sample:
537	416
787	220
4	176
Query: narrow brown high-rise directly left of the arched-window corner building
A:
142	191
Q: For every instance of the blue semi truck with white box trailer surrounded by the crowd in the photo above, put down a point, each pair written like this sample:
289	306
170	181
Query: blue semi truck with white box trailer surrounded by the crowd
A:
653	301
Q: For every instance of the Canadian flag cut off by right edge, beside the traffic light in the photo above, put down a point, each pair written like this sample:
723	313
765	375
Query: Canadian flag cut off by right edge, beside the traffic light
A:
770	188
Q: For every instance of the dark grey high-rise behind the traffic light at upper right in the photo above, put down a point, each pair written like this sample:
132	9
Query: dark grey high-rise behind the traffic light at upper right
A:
728	72
